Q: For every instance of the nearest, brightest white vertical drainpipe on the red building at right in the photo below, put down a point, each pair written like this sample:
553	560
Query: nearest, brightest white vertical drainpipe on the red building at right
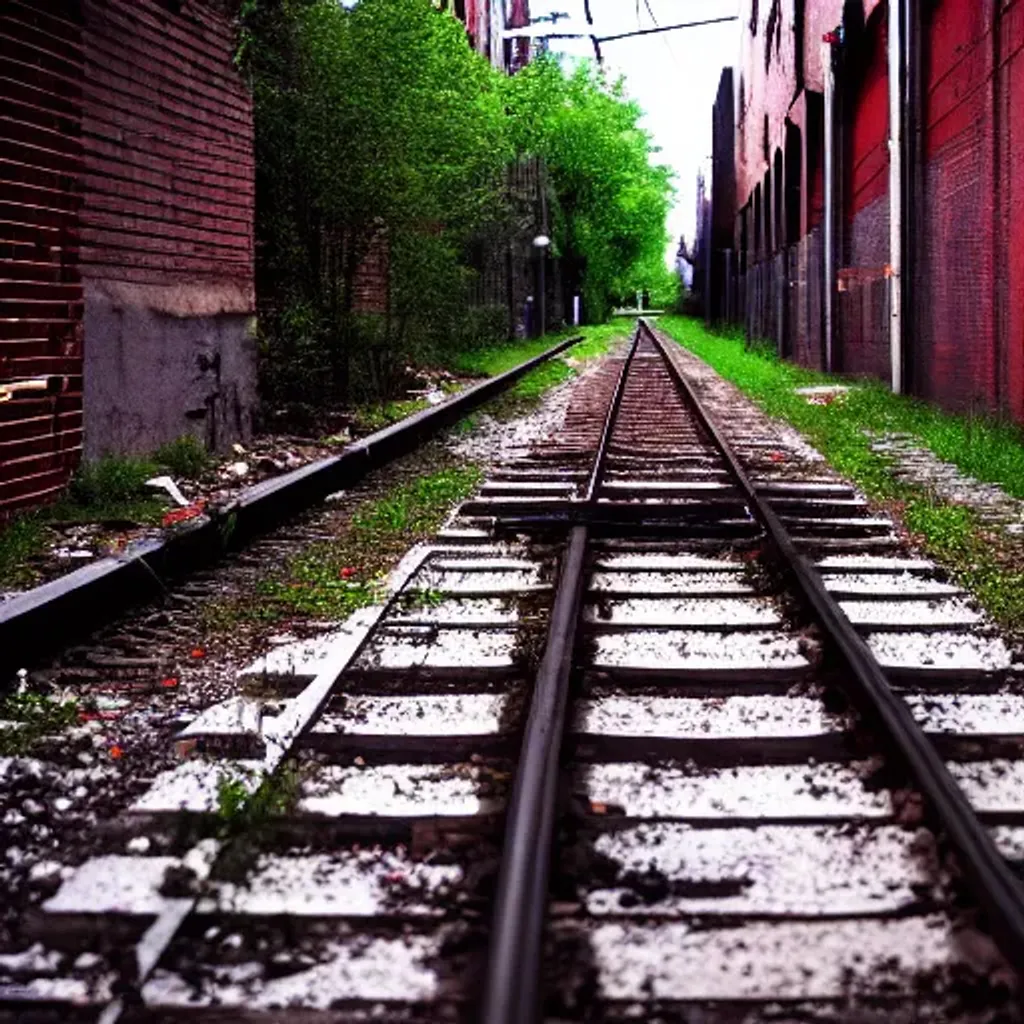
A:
897	90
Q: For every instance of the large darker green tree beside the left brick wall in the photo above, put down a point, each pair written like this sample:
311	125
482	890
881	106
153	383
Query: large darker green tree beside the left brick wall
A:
378	131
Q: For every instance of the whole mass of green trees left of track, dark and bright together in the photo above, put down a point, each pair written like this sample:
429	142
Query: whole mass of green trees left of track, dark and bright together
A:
381	135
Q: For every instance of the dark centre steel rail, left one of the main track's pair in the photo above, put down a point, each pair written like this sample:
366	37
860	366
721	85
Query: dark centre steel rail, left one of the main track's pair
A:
511	993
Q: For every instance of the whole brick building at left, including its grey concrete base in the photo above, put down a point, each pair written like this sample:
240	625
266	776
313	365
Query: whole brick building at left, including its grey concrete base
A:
126	235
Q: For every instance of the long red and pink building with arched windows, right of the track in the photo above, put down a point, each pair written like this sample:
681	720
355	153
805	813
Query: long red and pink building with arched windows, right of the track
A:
879	216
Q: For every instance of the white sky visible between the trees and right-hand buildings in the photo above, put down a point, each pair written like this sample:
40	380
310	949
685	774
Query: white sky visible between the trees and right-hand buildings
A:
673	76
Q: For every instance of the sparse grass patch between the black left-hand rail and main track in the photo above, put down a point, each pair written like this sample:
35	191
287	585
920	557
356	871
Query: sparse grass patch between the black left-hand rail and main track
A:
333	579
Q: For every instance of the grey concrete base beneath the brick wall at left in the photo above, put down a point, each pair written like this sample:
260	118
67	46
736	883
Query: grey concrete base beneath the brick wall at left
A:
152	377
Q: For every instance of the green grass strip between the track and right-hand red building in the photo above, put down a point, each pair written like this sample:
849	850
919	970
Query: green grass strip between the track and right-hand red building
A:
987	562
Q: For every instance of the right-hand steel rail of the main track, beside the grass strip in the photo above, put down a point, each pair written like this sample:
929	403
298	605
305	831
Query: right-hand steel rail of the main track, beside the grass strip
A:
994	884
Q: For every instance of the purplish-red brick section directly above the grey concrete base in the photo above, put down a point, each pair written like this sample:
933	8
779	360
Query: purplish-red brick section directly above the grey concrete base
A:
168	134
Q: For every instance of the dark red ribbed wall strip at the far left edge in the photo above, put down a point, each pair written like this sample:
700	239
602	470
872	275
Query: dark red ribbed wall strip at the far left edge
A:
40	291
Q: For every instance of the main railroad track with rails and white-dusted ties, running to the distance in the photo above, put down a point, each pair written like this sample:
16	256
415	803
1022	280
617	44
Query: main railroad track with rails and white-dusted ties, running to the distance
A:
667	726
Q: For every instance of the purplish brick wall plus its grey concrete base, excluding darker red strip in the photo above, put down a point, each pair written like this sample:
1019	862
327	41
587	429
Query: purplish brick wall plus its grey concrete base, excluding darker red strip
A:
167	228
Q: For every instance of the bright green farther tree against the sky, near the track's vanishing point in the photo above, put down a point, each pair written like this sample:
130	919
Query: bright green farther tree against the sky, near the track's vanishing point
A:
612	200
